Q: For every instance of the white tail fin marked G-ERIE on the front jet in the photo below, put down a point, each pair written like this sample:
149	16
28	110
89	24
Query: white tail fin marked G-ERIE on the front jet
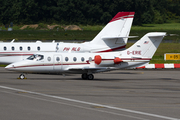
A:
146	46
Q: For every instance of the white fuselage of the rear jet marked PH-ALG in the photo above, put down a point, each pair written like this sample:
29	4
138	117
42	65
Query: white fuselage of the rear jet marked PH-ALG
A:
13	52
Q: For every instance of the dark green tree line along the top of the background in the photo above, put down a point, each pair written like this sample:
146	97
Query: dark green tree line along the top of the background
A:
86	11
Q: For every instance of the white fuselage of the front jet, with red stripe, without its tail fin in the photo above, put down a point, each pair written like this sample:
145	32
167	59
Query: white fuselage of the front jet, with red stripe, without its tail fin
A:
76	63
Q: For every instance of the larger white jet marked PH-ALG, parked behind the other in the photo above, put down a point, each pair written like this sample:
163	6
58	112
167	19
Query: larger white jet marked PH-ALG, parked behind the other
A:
112	37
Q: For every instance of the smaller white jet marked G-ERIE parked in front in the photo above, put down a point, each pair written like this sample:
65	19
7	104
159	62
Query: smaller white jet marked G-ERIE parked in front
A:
86	64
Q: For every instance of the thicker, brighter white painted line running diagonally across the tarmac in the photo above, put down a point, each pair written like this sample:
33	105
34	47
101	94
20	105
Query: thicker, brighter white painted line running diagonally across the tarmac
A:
94	104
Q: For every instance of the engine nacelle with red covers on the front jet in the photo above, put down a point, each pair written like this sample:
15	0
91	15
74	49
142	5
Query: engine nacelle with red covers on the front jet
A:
100	60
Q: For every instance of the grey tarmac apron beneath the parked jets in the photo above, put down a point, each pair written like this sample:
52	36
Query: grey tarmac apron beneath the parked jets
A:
116	95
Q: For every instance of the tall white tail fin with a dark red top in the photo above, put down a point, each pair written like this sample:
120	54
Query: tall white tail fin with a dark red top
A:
116	32
